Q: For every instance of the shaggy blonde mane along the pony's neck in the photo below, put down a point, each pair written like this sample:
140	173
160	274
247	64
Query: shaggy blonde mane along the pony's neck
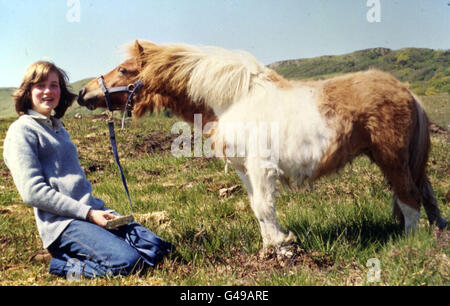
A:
210	75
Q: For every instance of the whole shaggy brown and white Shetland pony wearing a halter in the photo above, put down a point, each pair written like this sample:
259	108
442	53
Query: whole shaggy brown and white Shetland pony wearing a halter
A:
320	125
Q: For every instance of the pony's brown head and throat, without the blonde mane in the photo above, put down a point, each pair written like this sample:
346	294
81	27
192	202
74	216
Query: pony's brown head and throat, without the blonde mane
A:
164	83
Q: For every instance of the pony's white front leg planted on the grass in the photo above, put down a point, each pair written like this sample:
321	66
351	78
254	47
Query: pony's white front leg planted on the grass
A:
262	199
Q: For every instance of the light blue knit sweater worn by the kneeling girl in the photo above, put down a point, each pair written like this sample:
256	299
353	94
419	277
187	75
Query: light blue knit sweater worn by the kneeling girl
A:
47	173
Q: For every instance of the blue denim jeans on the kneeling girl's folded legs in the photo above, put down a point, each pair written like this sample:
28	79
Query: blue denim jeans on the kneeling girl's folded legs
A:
90	250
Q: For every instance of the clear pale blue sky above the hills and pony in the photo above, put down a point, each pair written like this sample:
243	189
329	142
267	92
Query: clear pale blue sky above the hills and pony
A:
86	37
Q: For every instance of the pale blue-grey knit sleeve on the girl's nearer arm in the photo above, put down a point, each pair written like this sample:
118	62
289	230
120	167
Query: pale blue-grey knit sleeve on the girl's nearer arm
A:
21	156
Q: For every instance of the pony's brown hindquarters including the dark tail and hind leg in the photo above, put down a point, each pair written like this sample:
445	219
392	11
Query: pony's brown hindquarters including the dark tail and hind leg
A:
375	114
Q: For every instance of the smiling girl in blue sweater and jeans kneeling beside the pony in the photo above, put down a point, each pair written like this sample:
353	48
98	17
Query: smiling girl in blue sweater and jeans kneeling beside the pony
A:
47	173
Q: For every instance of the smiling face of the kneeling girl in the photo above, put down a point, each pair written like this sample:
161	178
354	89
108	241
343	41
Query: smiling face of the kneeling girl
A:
45	95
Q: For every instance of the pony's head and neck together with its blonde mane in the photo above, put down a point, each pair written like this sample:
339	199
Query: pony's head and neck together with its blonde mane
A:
187	79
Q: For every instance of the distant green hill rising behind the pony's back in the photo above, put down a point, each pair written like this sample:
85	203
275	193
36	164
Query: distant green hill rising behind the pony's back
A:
427	70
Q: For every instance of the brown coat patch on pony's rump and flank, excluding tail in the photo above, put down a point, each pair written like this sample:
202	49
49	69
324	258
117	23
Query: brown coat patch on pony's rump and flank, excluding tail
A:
371	112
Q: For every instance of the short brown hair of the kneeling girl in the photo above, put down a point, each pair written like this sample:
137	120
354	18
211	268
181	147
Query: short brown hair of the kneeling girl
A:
38	72
